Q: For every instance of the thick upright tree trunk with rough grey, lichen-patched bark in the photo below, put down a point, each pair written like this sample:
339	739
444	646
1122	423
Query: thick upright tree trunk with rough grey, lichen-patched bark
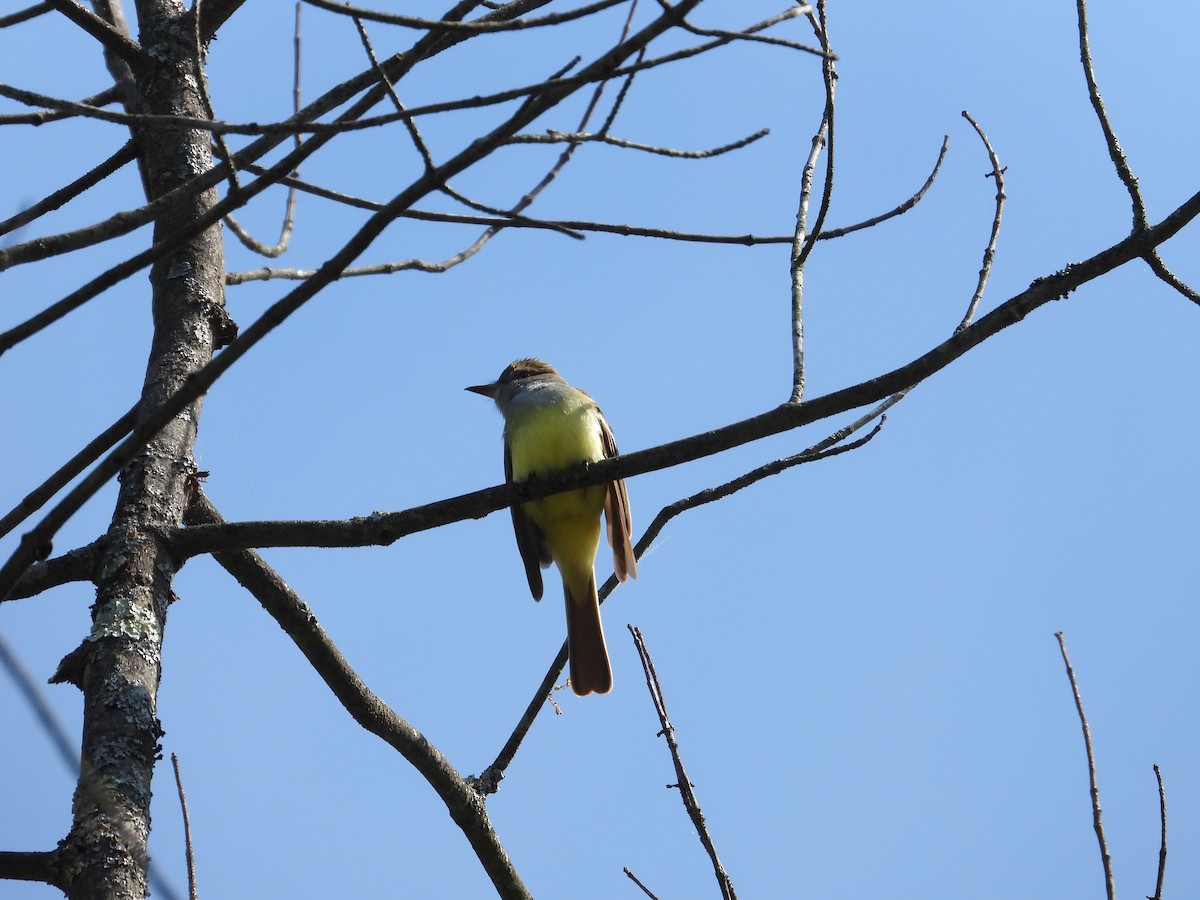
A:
122	657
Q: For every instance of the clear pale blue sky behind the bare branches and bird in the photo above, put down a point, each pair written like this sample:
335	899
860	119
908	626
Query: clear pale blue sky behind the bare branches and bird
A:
859	656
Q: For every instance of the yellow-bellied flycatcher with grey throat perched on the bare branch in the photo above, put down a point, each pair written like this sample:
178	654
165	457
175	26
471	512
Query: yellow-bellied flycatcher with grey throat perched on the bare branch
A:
550	427
